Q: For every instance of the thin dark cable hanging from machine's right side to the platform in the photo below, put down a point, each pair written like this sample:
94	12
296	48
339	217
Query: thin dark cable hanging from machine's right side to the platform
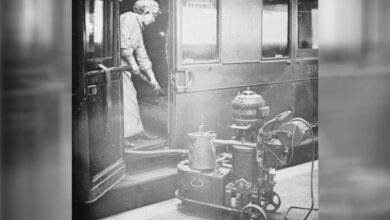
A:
311	175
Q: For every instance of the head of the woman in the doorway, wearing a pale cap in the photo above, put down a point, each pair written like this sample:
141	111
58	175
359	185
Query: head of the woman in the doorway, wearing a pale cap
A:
148	9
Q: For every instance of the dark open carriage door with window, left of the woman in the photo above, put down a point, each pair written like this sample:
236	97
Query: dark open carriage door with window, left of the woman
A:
97	98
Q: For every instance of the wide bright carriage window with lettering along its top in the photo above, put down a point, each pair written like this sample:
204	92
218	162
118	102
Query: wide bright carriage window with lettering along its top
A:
200	31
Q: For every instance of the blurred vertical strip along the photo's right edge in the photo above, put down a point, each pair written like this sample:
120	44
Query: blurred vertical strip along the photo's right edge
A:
354	108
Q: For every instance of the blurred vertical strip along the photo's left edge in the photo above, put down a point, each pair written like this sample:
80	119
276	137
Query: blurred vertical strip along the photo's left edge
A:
36	109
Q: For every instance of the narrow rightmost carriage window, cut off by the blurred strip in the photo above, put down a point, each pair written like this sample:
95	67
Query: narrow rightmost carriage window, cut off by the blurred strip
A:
307	24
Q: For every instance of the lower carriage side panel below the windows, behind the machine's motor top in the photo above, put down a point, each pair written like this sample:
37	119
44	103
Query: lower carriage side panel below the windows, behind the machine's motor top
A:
280	85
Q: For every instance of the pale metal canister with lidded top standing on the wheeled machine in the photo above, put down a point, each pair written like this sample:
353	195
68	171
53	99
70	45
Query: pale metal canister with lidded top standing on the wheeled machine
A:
202	151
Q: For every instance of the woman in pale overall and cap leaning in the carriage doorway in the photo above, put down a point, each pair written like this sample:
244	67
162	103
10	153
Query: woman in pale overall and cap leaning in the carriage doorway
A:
133	54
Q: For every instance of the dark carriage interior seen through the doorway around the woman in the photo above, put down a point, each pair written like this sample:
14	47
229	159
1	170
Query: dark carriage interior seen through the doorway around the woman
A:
153	108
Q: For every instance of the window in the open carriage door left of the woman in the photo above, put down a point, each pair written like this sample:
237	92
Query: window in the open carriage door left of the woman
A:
99	34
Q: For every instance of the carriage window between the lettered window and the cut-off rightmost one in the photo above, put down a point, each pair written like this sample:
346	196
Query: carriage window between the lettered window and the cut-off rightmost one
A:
275	31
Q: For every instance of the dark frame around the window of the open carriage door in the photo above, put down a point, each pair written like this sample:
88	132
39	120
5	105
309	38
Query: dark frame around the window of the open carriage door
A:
108	38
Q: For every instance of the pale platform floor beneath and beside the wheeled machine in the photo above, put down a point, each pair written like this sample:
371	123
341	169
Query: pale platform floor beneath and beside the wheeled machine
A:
293	186
